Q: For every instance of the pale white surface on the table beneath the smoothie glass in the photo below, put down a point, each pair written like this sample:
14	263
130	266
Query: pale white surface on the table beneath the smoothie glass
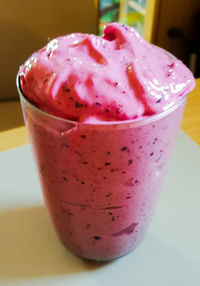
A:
30	253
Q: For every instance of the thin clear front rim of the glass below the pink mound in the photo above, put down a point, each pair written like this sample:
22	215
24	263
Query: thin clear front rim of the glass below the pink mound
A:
143	120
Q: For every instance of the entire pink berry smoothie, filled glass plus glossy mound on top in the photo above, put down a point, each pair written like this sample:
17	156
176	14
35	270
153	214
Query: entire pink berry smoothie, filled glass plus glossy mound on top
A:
102	115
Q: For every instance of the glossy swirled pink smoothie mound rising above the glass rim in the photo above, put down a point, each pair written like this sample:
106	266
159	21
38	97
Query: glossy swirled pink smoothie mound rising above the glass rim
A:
119	76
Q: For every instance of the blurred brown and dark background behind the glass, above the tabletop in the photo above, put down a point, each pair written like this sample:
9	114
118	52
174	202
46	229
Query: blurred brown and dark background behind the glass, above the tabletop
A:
26	26
